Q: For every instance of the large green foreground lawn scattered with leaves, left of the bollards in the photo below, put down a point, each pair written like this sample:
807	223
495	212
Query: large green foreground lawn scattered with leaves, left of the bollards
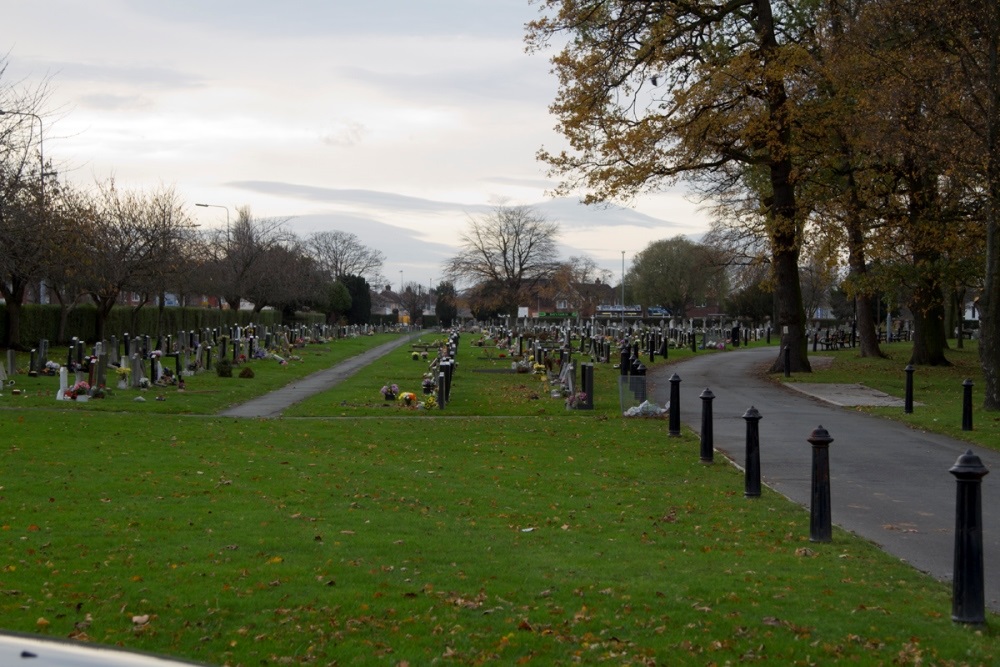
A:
393	536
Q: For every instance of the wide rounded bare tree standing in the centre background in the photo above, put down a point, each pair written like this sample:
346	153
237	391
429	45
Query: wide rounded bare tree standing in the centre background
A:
509	249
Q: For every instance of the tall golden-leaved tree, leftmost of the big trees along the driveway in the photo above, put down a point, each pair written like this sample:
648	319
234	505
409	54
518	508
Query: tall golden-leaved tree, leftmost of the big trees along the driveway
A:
650	91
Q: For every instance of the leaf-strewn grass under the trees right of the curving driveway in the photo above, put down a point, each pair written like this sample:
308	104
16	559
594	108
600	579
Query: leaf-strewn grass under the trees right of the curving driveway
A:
937	391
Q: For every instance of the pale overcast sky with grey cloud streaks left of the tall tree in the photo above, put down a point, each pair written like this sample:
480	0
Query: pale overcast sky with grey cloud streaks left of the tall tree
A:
395	120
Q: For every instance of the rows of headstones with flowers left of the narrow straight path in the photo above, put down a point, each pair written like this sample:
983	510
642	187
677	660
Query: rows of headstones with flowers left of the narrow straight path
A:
141	362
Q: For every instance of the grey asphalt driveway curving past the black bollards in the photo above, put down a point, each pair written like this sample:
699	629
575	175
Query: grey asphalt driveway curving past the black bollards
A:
889	483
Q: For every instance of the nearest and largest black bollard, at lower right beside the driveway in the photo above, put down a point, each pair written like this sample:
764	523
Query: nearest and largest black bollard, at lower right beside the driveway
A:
968	603
